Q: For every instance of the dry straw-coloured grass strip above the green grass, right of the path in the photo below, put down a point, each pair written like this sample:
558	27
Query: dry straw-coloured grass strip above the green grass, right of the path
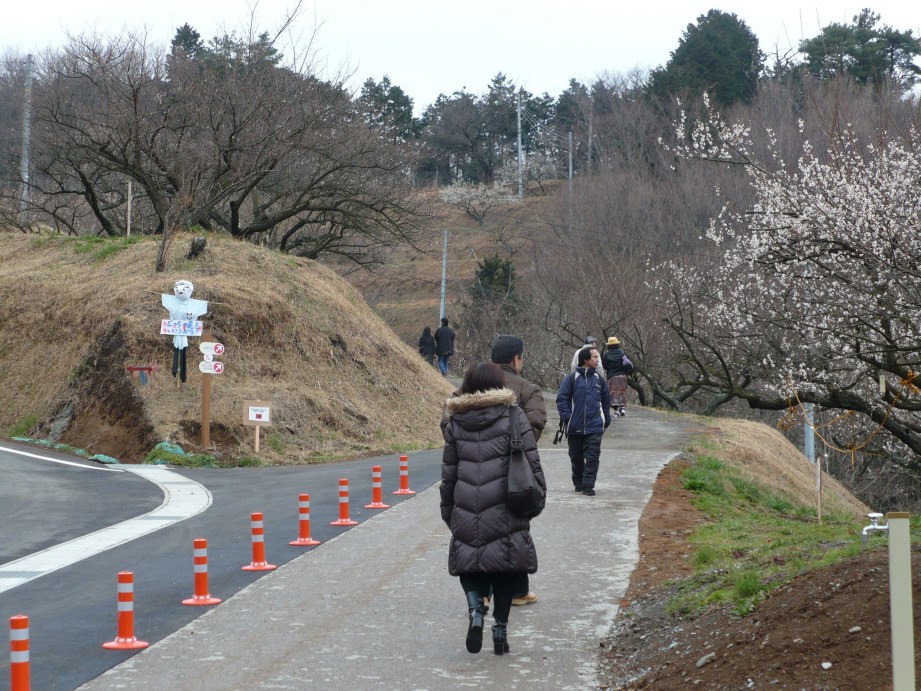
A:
769	459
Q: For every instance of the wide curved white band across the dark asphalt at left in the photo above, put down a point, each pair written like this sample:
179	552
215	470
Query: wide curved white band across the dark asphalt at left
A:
182	499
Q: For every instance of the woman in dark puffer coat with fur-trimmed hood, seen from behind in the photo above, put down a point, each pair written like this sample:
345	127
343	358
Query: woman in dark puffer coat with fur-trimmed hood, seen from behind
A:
491	546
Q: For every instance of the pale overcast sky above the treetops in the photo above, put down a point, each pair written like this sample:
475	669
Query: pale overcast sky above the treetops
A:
428	47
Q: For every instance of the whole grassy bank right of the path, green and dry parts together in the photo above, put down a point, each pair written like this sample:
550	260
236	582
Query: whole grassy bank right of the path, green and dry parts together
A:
758	495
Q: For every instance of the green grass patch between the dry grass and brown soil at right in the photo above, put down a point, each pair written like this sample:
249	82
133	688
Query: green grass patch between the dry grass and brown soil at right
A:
754	541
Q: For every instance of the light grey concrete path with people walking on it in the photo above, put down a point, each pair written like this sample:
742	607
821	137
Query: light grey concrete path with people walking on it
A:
376	608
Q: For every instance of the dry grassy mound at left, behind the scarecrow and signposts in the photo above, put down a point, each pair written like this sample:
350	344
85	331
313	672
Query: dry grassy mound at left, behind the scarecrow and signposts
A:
77	312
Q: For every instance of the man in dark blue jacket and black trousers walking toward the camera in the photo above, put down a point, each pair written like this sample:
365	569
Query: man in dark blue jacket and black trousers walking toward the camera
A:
584	404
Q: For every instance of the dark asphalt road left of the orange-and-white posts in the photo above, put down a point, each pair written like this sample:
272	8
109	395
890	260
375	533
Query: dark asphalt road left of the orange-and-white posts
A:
73	610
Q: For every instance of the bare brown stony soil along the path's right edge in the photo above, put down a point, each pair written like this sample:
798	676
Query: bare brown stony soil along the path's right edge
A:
838	615
